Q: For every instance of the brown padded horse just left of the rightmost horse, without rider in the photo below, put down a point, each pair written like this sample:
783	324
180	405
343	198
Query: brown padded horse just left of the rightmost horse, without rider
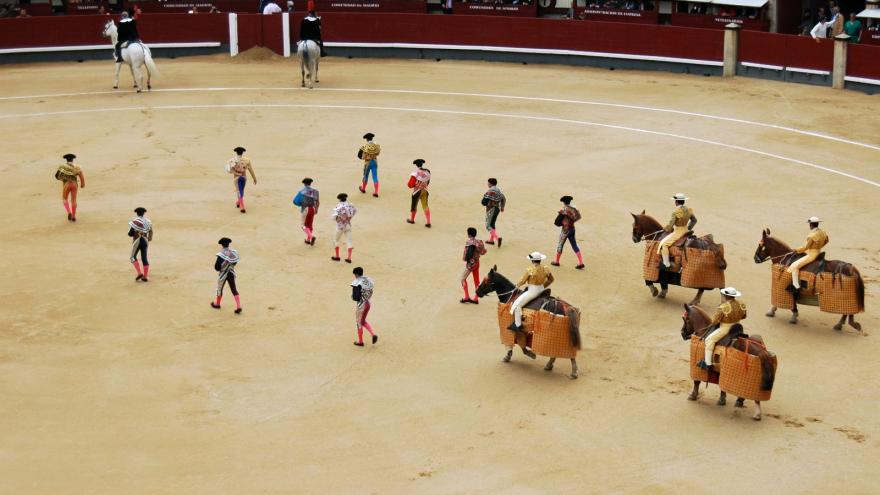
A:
646	228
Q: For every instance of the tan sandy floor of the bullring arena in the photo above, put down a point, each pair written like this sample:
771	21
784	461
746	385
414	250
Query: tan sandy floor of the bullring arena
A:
113	387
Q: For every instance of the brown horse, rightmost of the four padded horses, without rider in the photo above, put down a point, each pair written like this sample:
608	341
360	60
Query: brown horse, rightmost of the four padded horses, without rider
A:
778	252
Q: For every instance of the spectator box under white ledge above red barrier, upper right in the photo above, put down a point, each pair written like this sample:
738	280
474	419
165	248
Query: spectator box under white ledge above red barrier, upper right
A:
749	14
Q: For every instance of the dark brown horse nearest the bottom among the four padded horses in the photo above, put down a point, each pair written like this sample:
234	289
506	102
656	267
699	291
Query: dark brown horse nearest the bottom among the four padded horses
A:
697	322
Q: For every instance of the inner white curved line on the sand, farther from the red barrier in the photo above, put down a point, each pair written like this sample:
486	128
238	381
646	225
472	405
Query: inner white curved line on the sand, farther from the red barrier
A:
453	112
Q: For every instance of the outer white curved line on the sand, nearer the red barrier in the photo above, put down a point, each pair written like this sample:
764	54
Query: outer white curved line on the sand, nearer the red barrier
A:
481	95
